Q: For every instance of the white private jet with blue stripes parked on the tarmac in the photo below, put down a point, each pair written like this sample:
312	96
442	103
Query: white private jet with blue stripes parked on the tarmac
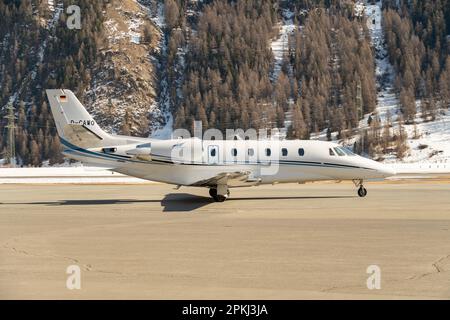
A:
214	164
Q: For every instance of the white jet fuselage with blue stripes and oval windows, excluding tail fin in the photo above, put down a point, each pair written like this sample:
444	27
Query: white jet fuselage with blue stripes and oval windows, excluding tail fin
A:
191	161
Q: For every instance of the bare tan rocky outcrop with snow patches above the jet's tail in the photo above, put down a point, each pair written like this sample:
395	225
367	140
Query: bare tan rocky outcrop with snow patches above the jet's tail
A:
123	91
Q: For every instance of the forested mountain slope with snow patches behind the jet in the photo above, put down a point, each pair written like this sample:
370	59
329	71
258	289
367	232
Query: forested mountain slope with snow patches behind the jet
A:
374	76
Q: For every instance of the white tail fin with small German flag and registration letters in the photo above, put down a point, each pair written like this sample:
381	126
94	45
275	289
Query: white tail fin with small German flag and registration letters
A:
73	122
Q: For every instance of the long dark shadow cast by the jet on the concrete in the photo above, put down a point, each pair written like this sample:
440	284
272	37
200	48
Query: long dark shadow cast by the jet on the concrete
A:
173	202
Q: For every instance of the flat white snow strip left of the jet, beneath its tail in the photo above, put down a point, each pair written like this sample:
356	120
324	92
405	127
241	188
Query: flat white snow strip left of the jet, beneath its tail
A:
78	174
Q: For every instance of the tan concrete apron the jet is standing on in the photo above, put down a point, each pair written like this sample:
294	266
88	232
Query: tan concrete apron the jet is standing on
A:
312	241
